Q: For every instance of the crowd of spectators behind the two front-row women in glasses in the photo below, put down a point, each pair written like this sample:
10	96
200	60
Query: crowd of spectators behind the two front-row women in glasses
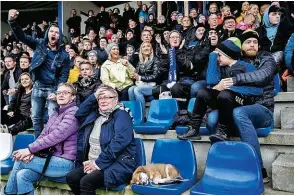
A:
226	59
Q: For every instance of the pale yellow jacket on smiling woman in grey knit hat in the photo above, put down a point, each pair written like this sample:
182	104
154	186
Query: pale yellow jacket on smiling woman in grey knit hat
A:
116	75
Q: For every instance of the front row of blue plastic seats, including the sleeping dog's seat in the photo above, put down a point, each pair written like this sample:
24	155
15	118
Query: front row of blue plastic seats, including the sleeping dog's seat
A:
226	171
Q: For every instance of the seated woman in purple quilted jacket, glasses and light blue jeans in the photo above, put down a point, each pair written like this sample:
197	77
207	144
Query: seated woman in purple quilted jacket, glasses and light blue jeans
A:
61	133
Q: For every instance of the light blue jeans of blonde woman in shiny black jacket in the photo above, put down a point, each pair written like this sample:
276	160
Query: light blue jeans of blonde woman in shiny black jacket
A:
139	93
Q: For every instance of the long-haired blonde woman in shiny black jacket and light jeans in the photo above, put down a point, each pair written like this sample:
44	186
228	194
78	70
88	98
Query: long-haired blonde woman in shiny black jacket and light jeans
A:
147	76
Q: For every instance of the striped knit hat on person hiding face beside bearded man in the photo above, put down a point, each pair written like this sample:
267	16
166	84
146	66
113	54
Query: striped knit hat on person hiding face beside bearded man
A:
230	48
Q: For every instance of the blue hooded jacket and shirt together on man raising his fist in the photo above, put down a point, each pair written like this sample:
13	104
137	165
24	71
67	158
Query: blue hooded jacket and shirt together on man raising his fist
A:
48	67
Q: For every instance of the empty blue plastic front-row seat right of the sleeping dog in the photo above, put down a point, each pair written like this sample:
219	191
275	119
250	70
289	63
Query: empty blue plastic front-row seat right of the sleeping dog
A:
231	168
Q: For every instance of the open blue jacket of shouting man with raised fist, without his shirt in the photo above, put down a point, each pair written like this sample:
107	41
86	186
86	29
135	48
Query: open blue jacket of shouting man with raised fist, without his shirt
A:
40	47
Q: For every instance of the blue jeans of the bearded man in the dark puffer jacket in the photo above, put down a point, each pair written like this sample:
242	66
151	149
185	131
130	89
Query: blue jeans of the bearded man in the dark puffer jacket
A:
248	119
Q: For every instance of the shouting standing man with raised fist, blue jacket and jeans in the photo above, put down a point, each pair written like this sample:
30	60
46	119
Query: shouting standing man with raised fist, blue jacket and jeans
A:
50	66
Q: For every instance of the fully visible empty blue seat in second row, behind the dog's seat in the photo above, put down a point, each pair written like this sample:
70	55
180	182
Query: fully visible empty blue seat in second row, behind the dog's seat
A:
160	117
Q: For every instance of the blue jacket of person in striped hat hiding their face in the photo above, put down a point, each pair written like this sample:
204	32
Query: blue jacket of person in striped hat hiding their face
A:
215	73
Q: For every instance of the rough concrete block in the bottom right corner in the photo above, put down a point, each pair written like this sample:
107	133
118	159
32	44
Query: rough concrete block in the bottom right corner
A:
283	173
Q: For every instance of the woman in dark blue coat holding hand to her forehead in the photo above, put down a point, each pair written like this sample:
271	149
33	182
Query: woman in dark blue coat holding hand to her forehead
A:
106	145
